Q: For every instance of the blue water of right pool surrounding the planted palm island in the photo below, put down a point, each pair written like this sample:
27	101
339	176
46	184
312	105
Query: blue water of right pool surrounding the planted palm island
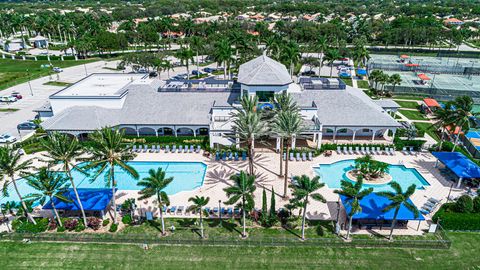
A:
332	174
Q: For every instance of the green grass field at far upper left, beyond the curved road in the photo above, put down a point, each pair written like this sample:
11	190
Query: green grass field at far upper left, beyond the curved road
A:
13	72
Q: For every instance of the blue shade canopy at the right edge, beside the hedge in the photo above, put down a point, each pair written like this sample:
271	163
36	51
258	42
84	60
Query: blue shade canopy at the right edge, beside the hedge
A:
459	164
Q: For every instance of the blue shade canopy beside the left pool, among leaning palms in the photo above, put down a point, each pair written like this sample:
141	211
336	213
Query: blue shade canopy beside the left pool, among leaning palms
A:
93	199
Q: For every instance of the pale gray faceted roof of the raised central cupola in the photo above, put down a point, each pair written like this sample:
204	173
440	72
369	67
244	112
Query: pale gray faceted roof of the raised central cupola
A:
263	70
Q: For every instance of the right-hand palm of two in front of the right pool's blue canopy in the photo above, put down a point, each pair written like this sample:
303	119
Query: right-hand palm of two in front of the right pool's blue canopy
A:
397	199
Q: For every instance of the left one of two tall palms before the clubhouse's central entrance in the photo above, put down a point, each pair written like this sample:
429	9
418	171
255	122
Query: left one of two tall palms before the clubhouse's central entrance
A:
248	125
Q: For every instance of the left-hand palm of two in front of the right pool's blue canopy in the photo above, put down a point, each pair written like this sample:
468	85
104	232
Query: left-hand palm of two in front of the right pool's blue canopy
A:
354	194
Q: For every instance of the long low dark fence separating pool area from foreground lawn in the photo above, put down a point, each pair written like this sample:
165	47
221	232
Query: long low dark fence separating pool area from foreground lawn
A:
442	243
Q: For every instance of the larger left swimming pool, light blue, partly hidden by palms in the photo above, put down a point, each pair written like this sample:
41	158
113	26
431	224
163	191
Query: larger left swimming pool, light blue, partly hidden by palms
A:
186	176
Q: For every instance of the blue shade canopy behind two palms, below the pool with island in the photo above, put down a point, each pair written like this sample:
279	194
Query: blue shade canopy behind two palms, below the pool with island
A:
372	208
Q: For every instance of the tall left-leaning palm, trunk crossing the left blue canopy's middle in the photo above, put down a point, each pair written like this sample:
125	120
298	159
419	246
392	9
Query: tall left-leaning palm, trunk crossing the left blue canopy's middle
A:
63	149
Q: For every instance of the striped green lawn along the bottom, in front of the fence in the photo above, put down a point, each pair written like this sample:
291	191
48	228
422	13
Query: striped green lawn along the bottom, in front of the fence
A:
16	255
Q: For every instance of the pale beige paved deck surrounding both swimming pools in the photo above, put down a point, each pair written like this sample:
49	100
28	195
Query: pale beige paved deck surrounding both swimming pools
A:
267	167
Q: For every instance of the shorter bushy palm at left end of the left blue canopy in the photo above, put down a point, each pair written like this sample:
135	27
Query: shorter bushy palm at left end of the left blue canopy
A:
49	185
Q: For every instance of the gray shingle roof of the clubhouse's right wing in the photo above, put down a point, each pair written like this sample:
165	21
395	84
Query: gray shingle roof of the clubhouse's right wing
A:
349	107
